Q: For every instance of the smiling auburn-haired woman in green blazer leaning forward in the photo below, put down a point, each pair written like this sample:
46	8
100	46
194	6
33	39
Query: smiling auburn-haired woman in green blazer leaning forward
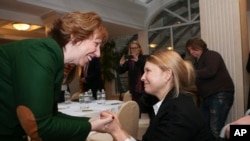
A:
31	79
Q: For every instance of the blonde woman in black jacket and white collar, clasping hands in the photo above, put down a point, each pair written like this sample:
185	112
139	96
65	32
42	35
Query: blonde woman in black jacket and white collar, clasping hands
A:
176	118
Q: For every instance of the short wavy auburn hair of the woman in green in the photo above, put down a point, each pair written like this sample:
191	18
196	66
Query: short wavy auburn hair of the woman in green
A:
80	25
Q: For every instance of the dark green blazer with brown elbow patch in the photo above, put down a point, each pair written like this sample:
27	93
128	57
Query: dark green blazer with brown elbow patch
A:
31	76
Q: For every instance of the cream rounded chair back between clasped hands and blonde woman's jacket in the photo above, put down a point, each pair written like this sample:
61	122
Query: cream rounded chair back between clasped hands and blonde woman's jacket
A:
128	116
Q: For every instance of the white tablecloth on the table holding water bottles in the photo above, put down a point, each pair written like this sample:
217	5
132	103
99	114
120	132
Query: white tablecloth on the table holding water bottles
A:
94	109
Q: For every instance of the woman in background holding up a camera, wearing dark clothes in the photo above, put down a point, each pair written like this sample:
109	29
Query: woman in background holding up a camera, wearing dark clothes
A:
133	63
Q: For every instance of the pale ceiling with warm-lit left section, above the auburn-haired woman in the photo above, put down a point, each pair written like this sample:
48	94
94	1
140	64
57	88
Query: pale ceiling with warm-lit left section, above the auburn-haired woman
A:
121	17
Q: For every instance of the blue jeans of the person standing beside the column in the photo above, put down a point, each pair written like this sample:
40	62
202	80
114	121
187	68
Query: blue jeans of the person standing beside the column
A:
215	109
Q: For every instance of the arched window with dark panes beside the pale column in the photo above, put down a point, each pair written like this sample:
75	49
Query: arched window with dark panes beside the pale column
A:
174	25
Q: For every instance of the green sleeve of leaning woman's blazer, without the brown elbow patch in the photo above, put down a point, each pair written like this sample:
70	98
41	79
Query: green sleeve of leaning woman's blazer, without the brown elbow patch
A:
38	70
